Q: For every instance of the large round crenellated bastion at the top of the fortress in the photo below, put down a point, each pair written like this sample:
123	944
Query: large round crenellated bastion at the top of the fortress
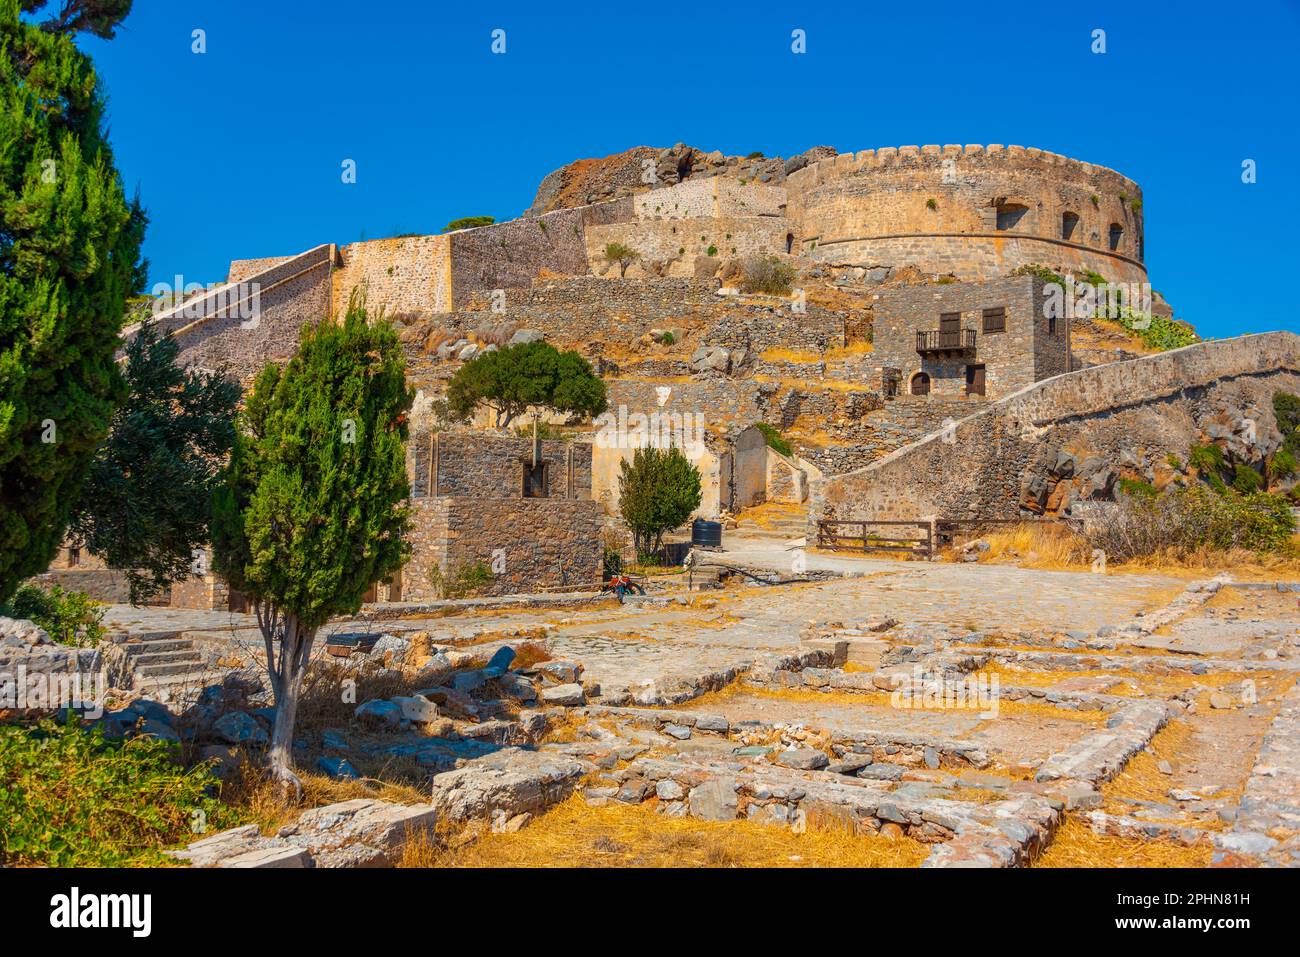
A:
851	205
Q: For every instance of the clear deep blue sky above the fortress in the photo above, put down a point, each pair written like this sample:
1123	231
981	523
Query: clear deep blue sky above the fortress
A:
239	151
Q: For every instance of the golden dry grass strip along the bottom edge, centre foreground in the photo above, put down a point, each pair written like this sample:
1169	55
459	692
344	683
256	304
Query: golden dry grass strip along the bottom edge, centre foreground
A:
618	835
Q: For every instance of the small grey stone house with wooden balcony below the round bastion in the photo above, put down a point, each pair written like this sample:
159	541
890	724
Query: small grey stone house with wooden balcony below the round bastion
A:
974	340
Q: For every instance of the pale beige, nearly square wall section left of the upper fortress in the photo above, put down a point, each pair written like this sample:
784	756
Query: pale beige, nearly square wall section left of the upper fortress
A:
400	275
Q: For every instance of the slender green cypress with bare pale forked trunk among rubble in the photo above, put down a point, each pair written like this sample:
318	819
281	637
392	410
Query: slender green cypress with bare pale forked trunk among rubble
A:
314	508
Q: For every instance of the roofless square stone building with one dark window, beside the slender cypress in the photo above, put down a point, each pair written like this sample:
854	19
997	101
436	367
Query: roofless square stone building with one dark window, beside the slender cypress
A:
484	500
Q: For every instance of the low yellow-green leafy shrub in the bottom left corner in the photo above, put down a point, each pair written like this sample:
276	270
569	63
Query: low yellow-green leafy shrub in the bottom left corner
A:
71	799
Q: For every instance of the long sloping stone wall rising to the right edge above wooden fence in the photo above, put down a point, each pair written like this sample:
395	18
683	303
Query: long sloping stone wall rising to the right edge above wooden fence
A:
1149	408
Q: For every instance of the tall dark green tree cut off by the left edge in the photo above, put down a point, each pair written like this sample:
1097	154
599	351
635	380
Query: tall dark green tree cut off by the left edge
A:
70	257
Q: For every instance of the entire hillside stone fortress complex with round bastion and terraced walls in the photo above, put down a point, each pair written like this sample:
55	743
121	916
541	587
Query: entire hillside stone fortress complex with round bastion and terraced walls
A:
912	310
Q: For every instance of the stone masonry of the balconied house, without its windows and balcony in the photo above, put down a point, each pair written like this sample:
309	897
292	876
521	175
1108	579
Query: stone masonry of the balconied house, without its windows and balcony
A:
1030	348
